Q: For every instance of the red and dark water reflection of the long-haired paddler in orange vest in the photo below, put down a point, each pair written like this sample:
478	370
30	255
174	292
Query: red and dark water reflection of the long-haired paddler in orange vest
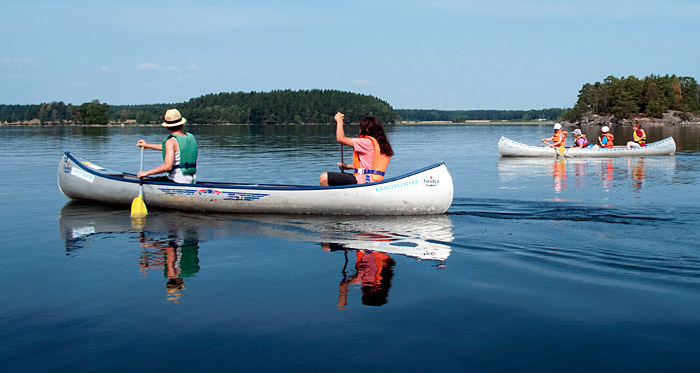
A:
373	273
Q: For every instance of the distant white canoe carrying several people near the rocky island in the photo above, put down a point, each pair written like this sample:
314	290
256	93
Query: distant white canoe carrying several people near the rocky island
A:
510	148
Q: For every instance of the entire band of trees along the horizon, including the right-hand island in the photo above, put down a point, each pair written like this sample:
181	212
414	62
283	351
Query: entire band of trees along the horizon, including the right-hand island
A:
618	97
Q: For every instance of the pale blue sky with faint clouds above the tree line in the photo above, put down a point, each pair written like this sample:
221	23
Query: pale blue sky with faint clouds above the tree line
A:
491	54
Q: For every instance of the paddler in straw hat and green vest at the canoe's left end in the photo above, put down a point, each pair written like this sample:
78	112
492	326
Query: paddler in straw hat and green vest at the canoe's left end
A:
179	151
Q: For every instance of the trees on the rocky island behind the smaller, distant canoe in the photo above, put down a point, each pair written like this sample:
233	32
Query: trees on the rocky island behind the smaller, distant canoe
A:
625	97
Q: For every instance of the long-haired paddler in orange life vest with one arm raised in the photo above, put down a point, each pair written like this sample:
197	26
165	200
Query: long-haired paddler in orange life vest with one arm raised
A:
371	154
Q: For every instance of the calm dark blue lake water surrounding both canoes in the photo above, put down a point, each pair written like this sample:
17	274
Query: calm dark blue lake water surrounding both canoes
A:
540	264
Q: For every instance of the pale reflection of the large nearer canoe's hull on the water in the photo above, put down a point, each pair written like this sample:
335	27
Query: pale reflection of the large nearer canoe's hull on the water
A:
423	237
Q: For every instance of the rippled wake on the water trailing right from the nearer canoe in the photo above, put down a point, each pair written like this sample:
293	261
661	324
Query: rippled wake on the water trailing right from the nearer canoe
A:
651	242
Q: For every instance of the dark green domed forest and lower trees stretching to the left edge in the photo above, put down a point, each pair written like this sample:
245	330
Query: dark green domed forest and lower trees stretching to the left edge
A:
309	106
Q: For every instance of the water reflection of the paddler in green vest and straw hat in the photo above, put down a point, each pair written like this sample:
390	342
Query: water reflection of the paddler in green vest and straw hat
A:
177	255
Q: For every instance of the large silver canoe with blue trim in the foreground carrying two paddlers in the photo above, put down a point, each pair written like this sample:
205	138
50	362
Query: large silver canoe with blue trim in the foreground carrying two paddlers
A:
422	192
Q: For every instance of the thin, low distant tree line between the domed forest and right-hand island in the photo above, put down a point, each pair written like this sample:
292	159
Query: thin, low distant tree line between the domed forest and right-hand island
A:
462	115
